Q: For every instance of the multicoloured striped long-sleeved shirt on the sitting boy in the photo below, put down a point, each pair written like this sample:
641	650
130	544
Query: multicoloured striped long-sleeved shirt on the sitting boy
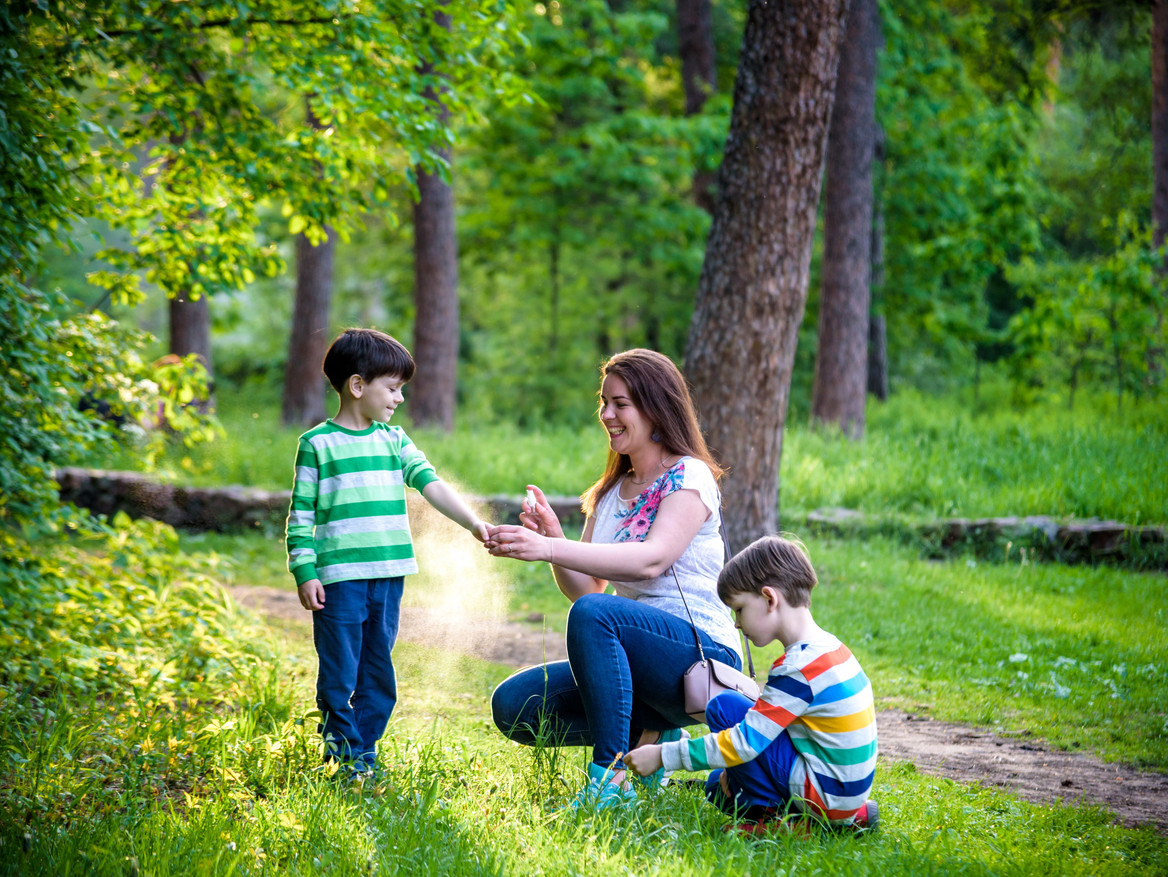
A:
818	694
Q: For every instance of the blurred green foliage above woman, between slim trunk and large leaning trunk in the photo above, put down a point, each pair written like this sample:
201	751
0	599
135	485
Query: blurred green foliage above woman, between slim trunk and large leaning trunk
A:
580	212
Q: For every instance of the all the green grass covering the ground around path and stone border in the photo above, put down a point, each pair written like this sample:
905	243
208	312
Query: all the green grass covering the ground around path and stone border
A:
169	777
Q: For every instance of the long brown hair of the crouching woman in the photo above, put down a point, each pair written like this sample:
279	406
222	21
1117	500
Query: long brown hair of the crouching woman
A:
659	392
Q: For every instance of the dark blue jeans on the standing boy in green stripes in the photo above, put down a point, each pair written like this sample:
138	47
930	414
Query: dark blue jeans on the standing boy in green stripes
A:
357	690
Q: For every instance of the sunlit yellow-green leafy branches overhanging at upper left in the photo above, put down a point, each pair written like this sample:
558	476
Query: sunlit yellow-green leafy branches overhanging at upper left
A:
203	105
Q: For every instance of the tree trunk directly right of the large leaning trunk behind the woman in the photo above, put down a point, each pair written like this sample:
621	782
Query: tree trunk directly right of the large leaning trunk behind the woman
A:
842	359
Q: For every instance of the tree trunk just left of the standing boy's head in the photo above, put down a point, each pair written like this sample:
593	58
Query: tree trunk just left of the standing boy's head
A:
304	385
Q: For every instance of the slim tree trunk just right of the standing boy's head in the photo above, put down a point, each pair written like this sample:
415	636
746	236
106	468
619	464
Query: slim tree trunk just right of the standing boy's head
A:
434	389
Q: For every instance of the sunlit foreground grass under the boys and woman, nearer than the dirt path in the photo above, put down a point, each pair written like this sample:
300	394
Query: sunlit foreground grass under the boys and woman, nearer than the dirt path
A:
463	802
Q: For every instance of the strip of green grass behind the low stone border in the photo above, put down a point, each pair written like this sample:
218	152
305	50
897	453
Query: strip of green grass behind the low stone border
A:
922	457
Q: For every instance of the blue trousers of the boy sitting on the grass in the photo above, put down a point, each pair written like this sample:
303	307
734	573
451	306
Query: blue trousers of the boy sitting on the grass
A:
763	783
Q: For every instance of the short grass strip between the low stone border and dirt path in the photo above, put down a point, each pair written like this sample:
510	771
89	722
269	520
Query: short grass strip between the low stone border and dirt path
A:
1070	655
